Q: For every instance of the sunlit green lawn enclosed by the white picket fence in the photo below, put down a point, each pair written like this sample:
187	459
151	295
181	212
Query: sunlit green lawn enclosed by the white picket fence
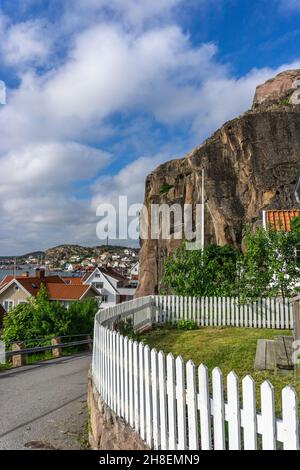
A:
226	348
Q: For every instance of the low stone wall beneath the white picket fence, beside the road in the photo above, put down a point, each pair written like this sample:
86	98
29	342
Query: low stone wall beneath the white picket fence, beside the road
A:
106	430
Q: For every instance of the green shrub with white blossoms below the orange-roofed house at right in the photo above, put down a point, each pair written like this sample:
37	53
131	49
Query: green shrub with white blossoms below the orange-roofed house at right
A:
270	266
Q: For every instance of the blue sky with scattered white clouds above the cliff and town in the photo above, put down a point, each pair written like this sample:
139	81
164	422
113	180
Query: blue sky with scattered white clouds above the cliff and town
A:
101	92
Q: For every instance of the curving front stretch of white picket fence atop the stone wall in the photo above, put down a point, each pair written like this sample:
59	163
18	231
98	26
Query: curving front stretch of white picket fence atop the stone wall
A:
176	406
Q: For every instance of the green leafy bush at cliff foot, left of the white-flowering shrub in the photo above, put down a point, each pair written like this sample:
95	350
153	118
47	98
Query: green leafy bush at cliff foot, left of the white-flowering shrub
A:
212	271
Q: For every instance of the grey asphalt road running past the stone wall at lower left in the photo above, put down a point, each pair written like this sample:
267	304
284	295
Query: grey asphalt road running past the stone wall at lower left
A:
44	405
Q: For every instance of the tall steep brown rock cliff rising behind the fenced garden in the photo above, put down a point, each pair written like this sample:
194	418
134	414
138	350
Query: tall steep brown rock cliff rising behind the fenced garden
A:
252	163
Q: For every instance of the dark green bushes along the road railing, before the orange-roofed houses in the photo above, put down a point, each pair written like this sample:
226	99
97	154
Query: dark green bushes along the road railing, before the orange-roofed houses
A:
40	318
